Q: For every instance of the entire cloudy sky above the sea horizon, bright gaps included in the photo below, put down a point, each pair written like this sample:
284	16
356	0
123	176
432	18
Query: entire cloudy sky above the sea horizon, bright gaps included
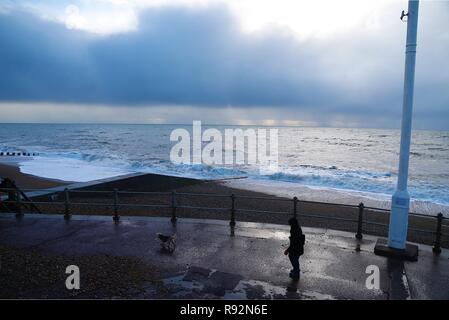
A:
263	62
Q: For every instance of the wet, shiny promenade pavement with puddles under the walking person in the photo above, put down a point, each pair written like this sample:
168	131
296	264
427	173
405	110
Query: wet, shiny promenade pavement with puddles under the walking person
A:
209	263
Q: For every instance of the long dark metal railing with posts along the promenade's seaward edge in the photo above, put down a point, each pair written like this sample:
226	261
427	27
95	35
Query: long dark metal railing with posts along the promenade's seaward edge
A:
173	205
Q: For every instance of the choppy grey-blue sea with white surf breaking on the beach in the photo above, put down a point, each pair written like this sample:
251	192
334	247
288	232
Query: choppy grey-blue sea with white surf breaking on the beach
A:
339	165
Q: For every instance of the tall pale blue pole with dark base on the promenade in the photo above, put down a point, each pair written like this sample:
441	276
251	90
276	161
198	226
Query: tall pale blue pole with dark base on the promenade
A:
397	235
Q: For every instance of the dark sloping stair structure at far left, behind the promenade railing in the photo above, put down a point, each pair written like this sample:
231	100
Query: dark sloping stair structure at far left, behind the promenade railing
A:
13	203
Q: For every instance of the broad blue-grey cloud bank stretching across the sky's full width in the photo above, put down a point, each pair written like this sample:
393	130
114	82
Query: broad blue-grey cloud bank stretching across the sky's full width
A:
199	57
